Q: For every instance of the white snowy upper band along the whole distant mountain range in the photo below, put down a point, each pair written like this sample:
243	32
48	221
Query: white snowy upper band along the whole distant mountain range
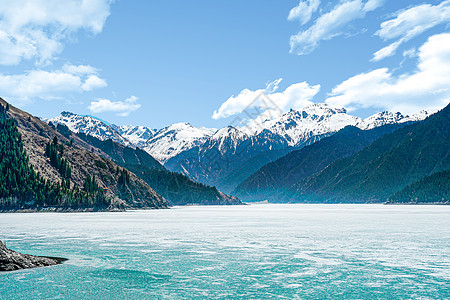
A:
294	126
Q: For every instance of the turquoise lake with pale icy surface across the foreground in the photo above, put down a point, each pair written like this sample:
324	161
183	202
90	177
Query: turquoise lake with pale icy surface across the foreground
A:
239	252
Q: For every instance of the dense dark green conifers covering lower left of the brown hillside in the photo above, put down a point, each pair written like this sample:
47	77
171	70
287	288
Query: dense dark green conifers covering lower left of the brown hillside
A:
21	186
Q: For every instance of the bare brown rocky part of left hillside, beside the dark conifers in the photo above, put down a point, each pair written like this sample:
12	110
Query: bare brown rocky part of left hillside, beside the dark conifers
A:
84	160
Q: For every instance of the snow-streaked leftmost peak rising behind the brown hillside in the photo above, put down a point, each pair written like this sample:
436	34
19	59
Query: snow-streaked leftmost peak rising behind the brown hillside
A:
88	125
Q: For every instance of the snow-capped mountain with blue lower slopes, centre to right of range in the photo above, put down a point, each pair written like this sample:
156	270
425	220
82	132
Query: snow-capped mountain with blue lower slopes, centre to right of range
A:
232	154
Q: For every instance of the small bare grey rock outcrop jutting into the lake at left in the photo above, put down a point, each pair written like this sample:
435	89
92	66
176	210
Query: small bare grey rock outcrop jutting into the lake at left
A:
11	260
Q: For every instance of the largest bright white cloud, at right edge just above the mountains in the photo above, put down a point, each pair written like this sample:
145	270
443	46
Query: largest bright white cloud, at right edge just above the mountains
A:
428	87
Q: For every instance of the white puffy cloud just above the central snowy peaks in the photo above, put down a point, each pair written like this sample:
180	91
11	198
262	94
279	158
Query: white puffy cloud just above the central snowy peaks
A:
295	96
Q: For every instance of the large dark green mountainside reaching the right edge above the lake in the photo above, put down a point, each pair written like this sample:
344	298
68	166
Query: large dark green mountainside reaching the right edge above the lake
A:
385	167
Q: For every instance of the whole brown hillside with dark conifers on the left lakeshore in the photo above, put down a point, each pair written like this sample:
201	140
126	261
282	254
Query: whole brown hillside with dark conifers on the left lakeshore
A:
42	169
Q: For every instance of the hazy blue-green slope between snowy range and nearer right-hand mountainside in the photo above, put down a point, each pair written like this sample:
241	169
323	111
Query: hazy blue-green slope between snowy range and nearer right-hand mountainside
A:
269	182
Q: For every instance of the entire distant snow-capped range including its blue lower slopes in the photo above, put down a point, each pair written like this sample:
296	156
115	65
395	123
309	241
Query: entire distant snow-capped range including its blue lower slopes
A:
216	157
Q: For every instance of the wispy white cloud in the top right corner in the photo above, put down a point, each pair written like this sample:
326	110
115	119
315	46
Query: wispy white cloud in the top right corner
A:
409	24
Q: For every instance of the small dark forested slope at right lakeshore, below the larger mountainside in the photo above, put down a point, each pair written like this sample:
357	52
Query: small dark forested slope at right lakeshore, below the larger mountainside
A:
431	189
